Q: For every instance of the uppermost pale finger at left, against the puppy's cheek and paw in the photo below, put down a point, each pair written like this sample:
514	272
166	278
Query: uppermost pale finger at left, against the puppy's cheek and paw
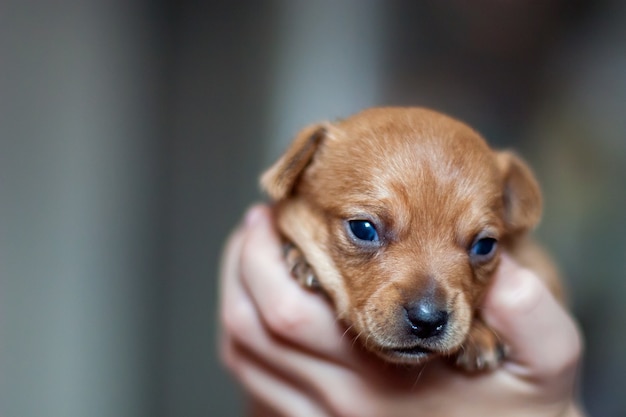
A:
303	317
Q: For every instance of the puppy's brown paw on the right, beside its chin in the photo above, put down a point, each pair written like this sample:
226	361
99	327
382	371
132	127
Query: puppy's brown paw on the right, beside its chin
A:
481	351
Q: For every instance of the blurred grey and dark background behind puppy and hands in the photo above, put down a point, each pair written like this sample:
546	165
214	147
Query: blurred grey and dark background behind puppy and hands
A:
132	134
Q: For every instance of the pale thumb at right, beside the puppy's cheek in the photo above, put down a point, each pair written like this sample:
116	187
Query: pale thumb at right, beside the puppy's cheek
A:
544	340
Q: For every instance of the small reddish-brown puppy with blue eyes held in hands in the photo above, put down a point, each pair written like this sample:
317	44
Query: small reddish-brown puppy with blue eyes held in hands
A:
400	216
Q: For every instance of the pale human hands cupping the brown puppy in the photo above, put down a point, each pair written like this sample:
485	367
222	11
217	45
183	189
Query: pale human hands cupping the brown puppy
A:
285	346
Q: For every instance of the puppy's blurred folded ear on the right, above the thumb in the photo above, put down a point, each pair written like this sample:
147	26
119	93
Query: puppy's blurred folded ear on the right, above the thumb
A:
522	195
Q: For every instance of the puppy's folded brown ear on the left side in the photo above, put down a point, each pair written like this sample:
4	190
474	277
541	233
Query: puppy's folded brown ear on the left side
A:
280	179
